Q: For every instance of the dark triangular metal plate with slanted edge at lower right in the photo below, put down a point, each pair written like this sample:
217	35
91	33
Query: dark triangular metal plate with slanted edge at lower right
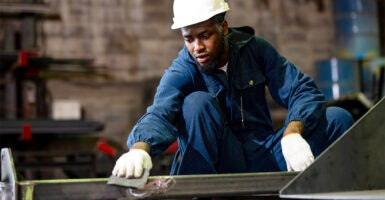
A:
354	163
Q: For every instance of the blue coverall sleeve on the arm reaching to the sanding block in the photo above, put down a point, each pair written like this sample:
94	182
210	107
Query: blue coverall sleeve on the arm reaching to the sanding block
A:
157	126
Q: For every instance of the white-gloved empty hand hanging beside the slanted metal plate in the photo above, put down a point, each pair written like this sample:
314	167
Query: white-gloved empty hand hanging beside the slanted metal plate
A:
296	152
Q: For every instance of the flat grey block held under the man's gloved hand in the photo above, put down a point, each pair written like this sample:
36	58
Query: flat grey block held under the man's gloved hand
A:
130	182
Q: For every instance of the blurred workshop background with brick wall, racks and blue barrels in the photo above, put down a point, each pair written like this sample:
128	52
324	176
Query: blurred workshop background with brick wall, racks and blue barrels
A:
76	75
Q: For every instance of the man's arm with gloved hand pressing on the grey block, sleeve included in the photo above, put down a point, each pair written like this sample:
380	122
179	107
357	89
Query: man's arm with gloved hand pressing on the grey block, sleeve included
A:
156	130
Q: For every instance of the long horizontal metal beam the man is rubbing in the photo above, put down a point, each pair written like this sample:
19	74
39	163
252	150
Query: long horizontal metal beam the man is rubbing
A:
162	187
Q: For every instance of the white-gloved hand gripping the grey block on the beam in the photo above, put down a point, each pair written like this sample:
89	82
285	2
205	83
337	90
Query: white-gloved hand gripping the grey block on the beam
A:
132	164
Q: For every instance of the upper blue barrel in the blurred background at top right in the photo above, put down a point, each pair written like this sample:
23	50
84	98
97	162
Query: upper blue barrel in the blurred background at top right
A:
356	28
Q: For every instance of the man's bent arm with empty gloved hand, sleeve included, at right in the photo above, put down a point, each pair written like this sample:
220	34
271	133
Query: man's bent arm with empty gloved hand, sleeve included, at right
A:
298	93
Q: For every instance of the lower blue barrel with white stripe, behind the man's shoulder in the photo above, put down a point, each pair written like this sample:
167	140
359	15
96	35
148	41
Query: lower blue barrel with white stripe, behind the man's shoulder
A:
337	77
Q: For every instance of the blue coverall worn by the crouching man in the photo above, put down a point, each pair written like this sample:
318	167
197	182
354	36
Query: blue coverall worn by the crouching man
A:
222	122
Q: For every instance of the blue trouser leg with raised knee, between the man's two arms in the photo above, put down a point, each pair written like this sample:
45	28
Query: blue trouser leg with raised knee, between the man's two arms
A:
206	146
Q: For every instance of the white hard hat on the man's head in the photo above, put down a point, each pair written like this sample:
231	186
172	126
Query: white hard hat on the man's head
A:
189	12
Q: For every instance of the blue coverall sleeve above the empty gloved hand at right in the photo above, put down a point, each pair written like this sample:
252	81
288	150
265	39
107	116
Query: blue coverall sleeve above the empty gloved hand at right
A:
291	88
